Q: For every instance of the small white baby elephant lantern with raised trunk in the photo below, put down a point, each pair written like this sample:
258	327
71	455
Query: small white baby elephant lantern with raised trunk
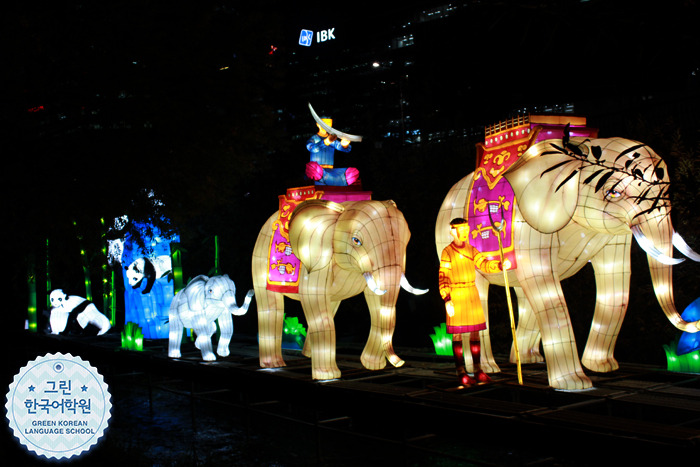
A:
197	306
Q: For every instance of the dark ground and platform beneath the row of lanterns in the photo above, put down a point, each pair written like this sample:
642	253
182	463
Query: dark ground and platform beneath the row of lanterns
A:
231	412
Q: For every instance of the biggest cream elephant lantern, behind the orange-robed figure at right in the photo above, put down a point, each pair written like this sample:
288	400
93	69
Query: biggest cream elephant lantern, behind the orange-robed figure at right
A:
577	200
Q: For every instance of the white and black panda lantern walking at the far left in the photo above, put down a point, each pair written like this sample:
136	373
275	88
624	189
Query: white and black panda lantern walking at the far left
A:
71	314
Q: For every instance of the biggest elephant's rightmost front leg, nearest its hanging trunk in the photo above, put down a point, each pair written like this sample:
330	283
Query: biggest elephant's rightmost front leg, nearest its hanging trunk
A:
612	276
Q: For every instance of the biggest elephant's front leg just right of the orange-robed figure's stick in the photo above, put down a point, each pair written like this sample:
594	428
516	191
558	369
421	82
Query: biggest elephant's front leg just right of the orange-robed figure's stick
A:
542	288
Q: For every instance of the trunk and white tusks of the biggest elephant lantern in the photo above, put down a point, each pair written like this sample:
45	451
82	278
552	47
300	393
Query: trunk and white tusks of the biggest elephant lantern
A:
659	255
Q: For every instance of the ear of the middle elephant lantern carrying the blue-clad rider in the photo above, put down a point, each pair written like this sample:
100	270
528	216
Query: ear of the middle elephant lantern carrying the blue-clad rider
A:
311	228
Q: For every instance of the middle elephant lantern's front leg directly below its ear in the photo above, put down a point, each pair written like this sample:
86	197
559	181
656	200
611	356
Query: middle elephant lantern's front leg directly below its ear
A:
321	336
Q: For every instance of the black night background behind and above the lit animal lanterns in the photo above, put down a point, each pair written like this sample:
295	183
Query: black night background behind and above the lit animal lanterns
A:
104	101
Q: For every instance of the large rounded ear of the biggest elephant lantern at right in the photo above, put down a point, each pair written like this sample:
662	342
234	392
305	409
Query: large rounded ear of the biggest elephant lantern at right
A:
546	185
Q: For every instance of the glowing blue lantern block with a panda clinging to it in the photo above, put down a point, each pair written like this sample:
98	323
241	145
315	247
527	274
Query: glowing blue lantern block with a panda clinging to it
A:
148	280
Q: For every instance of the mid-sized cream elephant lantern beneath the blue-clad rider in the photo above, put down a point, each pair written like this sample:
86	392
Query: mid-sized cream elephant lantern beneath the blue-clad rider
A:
345	249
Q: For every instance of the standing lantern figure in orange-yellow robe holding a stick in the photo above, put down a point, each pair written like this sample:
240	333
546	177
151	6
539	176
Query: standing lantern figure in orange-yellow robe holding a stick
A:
458	265
